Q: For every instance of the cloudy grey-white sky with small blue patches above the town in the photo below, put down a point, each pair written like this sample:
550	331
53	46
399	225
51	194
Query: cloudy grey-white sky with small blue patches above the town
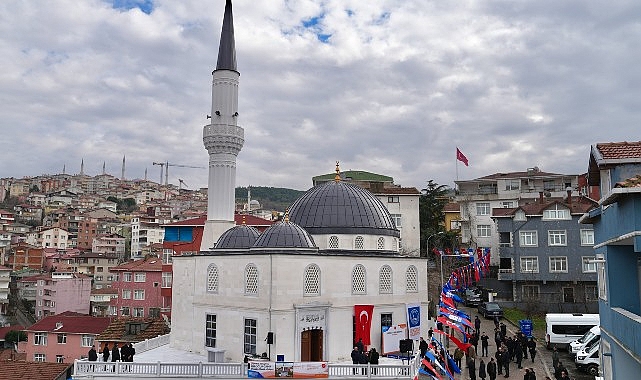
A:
387	86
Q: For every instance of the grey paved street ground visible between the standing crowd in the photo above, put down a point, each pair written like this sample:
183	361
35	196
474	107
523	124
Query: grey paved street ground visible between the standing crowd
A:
542	364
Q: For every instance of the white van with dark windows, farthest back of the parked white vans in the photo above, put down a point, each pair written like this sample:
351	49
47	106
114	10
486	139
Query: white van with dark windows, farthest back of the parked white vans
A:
563	328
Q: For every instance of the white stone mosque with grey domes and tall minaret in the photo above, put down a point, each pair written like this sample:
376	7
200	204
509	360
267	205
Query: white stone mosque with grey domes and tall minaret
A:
305	288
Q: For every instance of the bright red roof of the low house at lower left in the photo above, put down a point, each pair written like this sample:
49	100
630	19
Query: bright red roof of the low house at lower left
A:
72	323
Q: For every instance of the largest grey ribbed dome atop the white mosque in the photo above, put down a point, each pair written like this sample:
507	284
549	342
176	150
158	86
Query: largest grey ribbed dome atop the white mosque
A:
342	208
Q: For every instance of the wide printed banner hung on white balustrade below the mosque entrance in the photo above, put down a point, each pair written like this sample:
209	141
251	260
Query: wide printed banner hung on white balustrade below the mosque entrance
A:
300	370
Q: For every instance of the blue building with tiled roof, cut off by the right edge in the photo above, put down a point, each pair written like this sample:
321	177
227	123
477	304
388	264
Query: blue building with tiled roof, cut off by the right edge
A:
616	168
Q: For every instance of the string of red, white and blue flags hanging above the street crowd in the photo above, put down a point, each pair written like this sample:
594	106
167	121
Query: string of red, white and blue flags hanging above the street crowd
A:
437	362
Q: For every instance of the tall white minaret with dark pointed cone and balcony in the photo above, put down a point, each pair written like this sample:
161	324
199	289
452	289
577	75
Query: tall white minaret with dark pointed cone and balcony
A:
223	138
